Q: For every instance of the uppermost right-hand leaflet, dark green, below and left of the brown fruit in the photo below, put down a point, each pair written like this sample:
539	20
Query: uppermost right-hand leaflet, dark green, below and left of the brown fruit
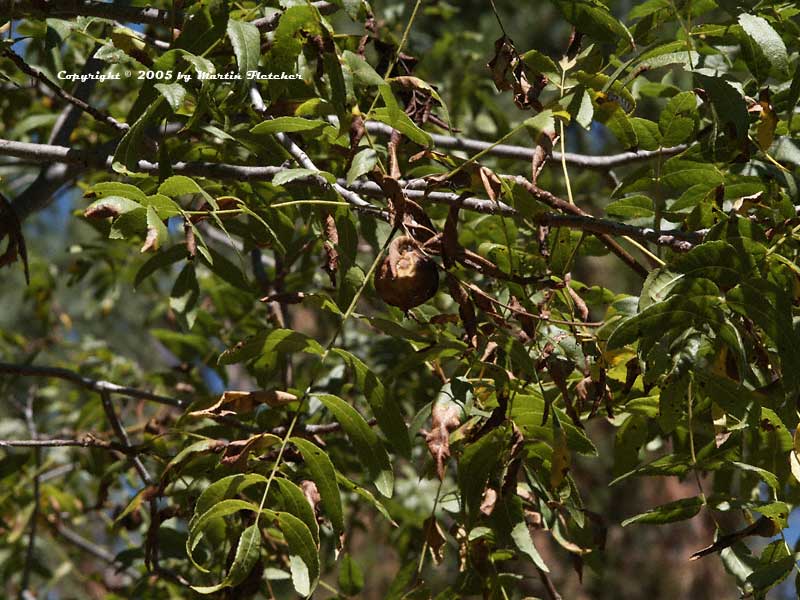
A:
386	408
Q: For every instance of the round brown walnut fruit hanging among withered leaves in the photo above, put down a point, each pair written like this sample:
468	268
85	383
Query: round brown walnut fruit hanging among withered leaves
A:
407	277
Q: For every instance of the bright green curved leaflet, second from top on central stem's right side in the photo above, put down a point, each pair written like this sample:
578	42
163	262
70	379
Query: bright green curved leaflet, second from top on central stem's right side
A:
367	445
